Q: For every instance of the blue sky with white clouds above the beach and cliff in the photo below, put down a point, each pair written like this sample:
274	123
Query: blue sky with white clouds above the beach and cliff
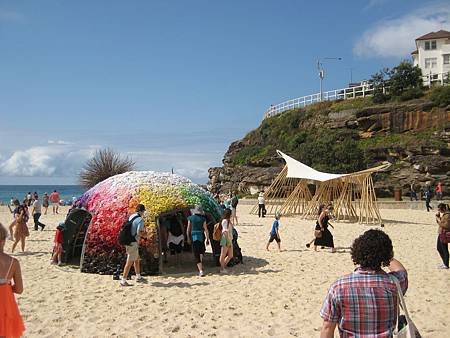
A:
173	83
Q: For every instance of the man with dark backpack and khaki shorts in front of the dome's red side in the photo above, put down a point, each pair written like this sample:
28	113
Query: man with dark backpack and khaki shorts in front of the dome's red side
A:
137	231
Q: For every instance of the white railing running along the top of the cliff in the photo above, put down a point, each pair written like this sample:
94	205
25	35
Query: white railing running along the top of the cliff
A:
363	90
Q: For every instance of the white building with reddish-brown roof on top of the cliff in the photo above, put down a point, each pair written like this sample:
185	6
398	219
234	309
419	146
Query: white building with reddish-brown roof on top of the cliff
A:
433	56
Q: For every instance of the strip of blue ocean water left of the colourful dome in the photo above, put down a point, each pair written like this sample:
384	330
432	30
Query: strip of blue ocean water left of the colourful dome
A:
20	191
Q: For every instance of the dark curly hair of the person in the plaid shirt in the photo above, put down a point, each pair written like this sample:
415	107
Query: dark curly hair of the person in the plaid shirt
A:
372	250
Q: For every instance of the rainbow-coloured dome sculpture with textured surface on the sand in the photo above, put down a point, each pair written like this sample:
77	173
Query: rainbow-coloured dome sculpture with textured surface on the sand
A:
111	201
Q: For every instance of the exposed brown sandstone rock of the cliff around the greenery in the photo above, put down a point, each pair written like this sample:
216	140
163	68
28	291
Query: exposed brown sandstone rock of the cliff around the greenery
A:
410	162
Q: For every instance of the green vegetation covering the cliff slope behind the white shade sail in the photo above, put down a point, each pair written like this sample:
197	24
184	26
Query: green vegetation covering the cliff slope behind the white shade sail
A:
335	150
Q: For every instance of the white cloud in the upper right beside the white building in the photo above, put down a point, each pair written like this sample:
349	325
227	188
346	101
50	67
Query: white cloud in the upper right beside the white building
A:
396	37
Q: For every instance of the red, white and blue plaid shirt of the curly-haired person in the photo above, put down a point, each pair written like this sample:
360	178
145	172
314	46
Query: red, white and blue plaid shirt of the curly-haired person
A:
364	303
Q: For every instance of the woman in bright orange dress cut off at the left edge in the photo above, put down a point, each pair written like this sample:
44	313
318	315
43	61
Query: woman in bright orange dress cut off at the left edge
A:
11	323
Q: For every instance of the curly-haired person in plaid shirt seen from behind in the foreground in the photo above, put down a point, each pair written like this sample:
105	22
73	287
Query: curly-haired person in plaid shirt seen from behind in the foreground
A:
364	303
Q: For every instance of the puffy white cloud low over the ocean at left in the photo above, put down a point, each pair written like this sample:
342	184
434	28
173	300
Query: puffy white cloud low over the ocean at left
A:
45	161
